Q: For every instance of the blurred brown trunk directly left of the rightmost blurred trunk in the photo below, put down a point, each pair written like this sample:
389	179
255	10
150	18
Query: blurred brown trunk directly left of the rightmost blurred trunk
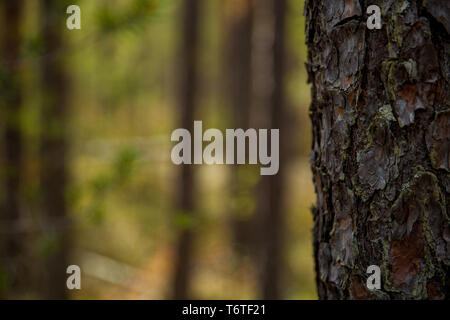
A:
237	92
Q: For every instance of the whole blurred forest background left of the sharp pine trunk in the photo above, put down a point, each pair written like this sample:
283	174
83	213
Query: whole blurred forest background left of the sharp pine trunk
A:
86	176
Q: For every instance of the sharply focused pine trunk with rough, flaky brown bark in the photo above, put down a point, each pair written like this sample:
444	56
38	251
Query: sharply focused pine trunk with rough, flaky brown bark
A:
380	159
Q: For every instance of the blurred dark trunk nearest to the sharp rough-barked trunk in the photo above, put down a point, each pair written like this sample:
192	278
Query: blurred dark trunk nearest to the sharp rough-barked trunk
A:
273	220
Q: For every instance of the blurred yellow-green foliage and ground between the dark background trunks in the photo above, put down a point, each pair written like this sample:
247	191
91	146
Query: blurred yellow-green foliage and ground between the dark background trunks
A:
123	110
